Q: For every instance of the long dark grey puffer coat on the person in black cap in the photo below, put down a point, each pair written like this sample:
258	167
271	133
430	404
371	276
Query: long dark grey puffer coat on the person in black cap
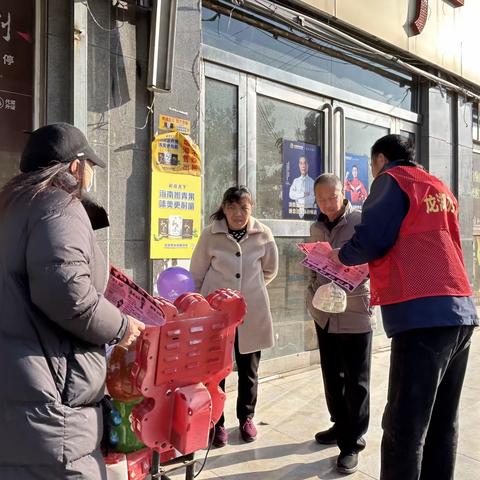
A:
54	323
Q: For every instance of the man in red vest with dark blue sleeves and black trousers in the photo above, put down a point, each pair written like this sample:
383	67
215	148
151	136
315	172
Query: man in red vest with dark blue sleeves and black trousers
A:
409	235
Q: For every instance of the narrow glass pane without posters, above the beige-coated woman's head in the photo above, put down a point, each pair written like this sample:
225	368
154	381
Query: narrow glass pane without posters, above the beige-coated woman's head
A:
221	143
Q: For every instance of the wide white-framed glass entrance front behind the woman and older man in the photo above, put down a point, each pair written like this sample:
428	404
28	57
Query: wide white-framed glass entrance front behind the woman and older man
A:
276	139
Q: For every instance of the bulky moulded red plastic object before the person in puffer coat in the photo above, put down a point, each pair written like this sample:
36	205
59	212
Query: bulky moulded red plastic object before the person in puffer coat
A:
178	368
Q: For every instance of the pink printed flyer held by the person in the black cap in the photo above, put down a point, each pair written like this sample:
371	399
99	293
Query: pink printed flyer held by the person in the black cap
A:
133	300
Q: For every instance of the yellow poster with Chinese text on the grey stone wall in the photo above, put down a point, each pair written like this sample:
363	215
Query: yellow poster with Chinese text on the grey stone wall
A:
175	214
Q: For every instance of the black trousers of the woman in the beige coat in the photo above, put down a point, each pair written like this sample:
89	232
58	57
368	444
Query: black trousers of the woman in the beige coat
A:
247	367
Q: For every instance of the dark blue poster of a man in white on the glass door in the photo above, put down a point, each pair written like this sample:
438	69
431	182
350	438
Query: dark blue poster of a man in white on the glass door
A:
301	165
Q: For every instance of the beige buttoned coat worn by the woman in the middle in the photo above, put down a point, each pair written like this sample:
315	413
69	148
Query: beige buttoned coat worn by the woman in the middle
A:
219	261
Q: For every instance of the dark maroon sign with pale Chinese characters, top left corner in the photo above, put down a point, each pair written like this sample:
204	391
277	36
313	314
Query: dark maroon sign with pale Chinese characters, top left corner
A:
16	72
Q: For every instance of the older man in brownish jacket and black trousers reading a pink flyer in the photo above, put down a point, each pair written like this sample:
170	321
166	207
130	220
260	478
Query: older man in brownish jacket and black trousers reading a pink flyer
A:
344	339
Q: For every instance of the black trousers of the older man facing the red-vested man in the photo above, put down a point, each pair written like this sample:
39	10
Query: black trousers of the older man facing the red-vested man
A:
345	360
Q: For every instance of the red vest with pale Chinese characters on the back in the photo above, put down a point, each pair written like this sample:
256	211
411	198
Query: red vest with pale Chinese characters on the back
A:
426	260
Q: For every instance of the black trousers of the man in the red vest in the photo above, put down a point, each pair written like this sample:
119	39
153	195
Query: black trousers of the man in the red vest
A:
420	422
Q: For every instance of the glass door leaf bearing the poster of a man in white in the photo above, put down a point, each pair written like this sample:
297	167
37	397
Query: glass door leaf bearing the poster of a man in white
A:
290	147
